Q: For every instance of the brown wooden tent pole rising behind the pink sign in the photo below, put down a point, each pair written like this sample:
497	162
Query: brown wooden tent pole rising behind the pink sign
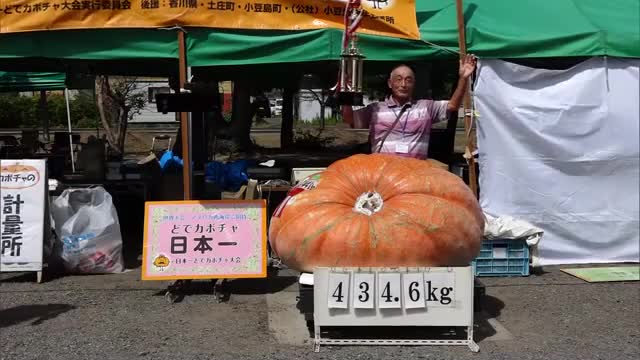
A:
184	119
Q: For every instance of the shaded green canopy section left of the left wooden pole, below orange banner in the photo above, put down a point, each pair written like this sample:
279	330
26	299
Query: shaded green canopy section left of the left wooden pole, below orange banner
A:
110	51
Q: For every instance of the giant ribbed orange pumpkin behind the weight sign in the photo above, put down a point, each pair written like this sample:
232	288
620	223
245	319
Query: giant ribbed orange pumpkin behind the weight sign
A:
378	210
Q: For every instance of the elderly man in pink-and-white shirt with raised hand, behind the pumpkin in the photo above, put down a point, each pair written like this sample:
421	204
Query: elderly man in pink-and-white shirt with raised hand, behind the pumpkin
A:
401	125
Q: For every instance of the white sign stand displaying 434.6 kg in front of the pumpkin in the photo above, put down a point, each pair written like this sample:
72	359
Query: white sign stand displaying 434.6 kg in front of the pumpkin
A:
421	297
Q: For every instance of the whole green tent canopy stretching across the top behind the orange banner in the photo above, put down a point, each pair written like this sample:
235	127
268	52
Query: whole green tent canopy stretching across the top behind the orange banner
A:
494	29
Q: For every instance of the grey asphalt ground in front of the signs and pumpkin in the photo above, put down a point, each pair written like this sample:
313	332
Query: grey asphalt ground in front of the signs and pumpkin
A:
547	315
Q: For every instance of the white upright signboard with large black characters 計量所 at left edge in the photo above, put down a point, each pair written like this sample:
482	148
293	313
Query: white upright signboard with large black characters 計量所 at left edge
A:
22	197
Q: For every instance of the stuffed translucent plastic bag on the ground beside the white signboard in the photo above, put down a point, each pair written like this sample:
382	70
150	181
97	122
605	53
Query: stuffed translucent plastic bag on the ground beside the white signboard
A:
87	226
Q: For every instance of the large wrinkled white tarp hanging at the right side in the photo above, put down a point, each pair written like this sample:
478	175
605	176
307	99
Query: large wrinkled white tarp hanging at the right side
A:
560	149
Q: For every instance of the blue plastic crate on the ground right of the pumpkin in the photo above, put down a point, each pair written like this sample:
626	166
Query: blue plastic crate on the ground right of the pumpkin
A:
502	258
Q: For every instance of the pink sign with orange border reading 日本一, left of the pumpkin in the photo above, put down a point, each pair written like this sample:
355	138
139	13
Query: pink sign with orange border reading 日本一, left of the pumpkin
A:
205	240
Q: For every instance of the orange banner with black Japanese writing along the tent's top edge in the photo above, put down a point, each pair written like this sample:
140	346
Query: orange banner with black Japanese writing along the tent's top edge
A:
396	18
